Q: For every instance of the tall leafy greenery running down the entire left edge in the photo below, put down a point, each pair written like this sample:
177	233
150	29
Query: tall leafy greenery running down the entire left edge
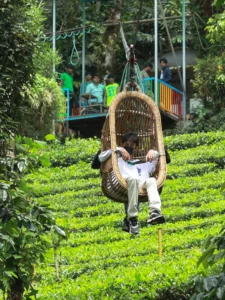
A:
23	223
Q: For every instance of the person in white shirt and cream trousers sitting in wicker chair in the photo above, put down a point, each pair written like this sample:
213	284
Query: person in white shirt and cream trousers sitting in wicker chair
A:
137	176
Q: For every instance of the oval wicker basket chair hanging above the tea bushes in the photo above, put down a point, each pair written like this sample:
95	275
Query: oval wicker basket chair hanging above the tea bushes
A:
131	111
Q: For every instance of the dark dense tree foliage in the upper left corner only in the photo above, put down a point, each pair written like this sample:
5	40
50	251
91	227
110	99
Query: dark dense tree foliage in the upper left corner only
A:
21	24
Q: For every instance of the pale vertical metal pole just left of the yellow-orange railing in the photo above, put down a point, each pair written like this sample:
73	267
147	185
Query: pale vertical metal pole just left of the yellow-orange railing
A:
156	50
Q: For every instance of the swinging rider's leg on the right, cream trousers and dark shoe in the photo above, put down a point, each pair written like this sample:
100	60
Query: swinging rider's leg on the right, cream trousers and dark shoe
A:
154	202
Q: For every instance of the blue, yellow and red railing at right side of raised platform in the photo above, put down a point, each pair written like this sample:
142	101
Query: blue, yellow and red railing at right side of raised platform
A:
170	98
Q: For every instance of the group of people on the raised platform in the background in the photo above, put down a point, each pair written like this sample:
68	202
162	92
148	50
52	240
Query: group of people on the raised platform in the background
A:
104	93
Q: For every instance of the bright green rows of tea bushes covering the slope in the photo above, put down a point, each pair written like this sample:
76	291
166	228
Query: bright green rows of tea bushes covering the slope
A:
100	261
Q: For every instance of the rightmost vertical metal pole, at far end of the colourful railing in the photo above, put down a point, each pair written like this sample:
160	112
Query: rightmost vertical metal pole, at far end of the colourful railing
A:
184	57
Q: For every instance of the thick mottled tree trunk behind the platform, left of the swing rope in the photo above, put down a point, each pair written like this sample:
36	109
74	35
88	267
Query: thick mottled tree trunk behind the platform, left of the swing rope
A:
111	35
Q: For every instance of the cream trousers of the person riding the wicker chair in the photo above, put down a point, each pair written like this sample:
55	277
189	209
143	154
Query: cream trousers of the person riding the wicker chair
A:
153	196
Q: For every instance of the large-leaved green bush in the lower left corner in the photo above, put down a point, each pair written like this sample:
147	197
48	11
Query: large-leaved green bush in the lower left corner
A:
23	222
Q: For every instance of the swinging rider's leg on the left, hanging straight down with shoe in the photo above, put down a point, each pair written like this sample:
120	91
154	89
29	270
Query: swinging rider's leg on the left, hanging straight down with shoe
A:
132	210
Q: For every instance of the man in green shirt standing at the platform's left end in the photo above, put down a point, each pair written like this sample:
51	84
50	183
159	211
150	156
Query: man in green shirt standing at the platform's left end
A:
66	82
